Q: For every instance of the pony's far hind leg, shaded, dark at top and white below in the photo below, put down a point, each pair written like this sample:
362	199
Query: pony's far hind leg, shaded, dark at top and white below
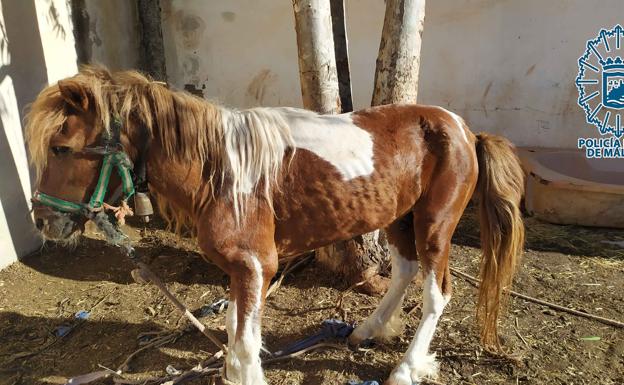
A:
385	322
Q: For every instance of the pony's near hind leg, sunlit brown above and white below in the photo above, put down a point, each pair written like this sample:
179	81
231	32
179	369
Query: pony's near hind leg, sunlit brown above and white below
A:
435	218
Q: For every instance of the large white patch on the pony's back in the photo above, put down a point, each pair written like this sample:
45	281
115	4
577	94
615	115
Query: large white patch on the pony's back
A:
334	138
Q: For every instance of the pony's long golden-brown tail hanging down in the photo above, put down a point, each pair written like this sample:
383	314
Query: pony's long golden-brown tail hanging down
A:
499	191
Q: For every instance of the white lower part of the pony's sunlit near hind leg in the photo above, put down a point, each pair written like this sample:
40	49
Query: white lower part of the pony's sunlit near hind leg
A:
417	362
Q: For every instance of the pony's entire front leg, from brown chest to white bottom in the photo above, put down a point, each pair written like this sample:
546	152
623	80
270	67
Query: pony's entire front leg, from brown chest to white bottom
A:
246	252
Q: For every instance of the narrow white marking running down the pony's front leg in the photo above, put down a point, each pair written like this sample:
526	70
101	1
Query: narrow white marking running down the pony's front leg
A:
248	344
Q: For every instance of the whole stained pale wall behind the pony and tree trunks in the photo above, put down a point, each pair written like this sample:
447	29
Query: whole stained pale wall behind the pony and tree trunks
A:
507	66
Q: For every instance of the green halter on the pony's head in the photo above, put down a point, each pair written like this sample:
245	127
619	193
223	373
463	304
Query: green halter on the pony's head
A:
114	156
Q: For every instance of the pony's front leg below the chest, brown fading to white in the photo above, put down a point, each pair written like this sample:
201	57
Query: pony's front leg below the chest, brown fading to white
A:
250	279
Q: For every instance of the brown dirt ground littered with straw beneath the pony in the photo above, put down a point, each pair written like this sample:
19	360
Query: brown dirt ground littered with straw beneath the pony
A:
567	265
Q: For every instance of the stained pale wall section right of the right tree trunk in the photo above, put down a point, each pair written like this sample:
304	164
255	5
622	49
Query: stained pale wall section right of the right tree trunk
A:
509	67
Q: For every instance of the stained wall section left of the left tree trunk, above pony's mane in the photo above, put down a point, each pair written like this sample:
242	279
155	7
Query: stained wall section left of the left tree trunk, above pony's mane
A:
242	53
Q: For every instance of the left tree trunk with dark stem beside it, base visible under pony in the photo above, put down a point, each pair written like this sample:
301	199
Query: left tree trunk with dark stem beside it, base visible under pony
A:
357	260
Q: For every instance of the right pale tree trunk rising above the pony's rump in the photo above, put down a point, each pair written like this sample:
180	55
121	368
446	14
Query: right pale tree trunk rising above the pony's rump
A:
398	61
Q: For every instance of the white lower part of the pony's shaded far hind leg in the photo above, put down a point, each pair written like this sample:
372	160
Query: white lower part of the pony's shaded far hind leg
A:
385	322
